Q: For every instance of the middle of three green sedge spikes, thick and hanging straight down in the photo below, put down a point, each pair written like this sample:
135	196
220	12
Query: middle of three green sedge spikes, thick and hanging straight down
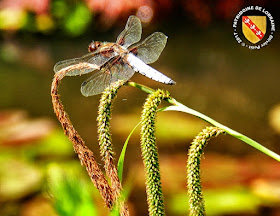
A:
150	153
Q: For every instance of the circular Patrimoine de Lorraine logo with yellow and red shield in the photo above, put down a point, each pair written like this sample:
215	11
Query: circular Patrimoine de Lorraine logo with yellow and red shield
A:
253	27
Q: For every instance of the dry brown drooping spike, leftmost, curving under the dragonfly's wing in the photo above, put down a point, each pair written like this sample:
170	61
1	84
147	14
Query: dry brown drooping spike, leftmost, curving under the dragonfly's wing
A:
85	155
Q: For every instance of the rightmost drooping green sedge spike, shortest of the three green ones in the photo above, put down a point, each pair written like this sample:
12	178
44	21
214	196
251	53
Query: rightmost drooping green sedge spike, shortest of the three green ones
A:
196	200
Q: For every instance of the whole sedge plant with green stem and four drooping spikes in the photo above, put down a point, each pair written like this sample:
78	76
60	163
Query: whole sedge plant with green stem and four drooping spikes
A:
110	186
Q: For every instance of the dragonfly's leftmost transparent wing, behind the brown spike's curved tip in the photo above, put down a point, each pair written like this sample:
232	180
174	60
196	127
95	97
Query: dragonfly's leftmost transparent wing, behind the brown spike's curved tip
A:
93	58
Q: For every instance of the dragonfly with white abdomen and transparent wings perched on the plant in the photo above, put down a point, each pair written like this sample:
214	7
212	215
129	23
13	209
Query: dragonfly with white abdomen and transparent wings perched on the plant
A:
119	60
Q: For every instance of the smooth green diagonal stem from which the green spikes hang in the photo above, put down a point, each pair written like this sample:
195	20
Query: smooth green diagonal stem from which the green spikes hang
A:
180	107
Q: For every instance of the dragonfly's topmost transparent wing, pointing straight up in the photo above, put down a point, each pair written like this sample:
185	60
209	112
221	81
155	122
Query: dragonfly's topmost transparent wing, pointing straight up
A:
132	32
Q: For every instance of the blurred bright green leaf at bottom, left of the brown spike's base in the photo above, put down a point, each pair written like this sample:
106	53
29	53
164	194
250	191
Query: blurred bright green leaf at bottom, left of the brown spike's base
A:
71	194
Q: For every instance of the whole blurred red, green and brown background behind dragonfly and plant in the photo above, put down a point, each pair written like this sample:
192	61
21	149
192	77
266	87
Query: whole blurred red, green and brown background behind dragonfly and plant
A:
39	172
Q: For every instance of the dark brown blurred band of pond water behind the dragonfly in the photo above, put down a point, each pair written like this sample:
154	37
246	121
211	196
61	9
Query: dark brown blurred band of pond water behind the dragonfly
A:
215	75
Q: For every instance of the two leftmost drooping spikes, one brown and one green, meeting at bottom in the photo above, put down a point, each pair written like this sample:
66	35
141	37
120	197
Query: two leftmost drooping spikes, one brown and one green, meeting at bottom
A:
109	192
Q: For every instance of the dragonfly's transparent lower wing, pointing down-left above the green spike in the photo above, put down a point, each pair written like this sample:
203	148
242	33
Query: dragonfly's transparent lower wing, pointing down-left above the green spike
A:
97	83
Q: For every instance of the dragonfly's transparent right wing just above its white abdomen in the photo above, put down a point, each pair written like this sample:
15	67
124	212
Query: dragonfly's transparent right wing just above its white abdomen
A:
150	49
